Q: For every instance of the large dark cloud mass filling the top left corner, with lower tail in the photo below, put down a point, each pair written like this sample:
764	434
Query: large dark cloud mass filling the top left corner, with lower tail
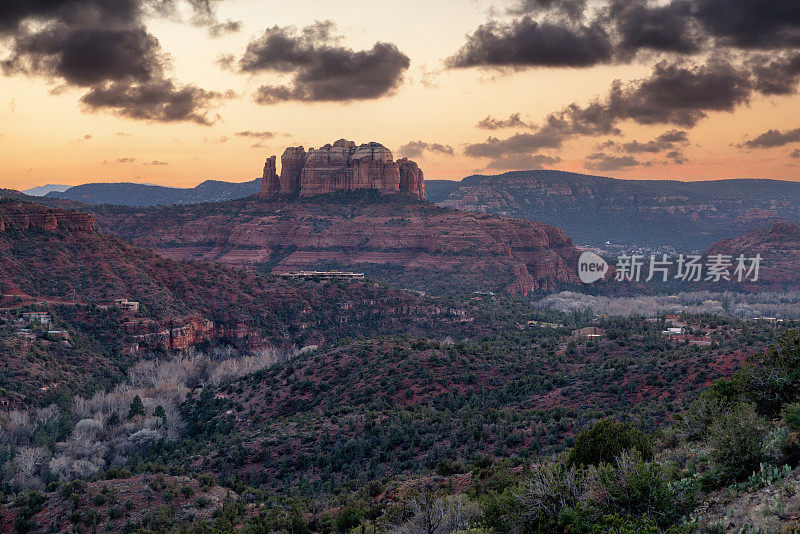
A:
104	47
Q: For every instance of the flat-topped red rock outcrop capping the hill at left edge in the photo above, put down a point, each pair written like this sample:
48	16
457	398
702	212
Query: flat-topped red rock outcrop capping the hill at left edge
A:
23	216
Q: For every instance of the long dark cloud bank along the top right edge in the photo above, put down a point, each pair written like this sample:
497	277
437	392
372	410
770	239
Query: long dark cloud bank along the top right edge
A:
563	33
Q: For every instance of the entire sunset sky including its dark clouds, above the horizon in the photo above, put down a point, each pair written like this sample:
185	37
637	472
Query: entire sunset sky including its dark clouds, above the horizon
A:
175	92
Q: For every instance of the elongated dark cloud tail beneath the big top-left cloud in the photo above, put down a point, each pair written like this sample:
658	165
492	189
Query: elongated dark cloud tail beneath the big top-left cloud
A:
159	100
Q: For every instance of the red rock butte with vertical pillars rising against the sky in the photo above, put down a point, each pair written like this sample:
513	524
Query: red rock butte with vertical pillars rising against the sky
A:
342	166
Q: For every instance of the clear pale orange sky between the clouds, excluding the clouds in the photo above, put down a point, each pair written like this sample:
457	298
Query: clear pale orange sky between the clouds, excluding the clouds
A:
45	136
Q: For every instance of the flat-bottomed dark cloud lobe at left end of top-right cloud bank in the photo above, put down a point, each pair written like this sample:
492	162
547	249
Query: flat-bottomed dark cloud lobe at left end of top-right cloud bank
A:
527	42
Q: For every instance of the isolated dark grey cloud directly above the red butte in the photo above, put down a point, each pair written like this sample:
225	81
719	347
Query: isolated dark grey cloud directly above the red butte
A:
322	70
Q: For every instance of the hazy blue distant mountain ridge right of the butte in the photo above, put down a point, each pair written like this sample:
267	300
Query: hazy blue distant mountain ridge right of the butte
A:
594	209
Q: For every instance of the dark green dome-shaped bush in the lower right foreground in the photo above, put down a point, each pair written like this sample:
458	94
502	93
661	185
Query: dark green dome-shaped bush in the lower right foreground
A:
605	441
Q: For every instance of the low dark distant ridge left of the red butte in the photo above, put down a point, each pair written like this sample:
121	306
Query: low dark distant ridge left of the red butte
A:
141	195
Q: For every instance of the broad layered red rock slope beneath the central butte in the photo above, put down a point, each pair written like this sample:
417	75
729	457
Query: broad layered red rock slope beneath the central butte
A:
413	245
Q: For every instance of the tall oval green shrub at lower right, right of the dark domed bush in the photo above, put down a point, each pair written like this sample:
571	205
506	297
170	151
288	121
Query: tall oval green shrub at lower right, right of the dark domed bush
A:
736	442
